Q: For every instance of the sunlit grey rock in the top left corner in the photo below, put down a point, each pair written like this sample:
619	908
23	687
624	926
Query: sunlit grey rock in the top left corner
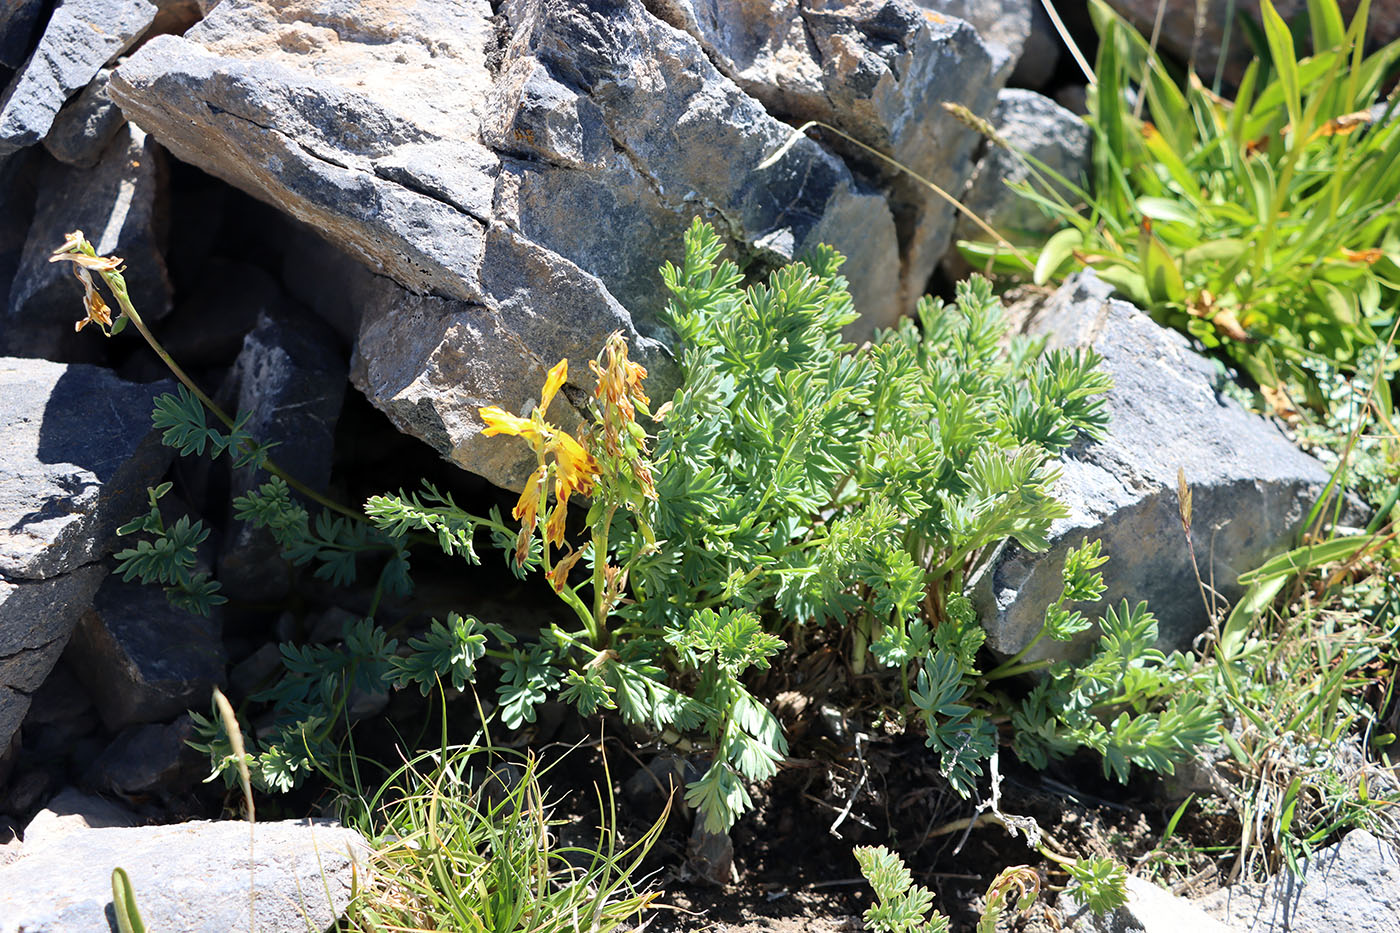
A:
80	39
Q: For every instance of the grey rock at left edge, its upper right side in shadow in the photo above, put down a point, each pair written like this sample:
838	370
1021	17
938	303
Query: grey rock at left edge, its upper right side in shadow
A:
79	453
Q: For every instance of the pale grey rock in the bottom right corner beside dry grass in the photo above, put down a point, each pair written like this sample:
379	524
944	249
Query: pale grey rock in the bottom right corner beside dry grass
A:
1353	886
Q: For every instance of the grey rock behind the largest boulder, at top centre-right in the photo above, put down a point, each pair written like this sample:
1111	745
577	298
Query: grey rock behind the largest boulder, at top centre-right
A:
878	71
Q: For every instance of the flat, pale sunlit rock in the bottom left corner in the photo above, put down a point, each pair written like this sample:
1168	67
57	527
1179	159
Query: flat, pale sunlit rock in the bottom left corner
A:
192	876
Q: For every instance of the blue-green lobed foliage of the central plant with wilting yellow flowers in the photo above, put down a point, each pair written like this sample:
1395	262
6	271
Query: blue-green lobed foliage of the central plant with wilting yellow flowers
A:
801	481
